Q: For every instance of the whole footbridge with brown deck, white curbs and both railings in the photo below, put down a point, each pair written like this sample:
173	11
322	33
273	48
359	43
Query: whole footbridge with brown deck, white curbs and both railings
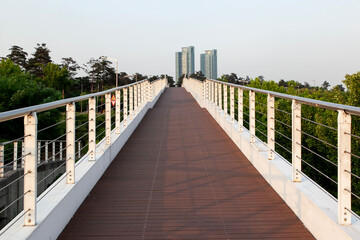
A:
178	163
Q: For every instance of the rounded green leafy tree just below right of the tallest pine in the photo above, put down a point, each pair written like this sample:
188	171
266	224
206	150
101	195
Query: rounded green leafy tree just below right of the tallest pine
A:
57	77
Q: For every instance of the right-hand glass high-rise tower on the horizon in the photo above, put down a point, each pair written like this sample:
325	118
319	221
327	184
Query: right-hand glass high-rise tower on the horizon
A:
208	63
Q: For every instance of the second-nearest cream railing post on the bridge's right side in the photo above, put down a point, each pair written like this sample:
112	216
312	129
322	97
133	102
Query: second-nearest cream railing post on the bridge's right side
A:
296	141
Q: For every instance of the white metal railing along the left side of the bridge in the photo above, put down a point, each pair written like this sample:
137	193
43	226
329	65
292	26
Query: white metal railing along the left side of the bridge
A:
130	100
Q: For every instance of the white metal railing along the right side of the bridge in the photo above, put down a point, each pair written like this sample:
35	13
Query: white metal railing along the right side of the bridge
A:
216	93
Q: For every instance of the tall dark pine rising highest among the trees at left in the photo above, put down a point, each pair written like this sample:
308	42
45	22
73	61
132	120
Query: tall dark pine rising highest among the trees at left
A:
41	57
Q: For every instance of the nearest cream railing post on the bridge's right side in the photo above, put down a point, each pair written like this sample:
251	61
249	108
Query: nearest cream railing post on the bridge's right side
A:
344	168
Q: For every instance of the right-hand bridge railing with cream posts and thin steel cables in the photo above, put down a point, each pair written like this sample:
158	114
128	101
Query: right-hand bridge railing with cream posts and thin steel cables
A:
293	131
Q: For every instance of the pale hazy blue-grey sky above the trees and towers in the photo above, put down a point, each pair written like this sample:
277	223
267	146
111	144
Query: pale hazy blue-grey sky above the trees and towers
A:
302	40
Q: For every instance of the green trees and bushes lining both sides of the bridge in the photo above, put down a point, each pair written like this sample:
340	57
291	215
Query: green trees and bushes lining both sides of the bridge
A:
26	81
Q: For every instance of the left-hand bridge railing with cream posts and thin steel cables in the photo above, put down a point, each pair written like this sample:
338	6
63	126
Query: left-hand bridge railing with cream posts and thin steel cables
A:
78	140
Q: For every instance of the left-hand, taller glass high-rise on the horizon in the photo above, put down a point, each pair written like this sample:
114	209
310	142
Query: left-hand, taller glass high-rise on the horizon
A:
185	62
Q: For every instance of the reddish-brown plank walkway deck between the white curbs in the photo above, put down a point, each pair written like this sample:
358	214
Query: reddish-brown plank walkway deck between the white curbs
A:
181	177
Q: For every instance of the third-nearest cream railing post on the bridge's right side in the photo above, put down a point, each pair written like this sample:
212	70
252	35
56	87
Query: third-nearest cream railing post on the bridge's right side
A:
271	126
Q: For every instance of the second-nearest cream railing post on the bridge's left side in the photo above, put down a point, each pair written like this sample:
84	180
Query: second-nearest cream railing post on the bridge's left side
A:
70	143
